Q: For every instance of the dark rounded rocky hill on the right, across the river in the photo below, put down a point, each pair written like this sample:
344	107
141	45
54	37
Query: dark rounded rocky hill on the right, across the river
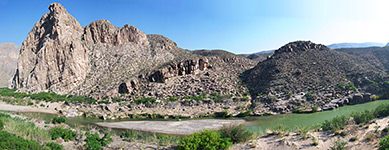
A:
305	73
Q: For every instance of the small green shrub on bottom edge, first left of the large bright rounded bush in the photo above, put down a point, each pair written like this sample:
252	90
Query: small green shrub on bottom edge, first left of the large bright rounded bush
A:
94	142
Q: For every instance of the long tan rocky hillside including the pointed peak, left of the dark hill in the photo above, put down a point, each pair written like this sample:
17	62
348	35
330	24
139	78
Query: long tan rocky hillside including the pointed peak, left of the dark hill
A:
101	60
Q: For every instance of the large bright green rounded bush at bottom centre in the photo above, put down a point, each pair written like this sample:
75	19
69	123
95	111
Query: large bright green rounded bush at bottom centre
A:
204	140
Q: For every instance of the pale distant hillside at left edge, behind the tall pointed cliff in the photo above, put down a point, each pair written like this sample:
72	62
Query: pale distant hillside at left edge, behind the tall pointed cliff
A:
9	53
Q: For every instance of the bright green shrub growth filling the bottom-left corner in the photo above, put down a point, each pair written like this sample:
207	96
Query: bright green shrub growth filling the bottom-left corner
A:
11	141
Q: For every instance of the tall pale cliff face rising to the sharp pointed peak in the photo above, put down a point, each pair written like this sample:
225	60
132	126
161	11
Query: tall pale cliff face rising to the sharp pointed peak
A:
52	57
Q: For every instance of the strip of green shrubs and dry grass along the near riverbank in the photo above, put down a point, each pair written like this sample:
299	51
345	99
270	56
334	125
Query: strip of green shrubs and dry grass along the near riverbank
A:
31	136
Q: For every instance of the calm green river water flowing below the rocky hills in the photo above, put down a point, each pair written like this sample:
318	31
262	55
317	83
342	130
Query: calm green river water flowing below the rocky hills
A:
262	123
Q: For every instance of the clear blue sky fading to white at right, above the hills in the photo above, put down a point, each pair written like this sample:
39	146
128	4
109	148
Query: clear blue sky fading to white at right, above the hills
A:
239	26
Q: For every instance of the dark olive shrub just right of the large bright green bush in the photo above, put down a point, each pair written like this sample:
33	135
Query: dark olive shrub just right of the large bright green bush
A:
237	134
